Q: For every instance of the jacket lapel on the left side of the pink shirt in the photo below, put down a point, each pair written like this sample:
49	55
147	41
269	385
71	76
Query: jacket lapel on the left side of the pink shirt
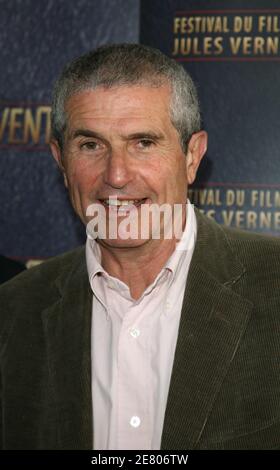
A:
67	326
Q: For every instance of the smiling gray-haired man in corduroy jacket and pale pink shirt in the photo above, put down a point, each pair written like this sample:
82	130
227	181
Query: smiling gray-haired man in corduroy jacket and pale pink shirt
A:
140	342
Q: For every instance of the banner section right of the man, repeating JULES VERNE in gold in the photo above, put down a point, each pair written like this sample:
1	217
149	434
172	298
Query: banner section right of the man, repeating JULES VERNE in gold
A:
232	51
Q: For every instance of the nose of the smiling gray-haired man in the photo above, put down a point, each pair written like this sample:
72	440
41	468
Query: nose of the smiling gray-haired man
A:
118	169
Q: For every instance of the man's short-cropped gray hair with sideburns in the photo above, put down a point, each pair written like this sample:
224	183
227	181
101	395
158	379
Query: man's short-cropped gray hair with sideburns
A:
126	65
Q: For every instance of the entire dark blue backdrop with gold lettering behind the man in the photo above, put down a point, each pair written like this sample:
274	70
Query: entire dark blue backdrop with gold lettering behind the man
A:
239	181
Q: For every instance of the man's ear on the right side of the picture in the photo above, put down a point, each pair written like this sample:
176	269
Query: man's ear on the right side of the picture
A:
196	149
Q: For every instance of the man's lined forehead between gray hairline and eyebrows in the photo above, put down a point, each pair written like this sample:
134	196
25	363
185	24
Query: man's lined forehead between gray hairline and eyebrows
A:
119	104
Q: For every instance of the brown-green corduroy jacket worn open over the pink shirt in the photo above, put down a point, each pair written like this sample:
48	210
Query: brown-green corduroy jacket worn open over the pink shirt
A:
225	385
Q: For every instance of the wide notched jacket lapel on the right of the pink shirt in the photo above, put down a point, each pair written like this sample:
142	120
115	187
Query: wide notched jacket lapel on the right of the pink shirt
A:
213	320
